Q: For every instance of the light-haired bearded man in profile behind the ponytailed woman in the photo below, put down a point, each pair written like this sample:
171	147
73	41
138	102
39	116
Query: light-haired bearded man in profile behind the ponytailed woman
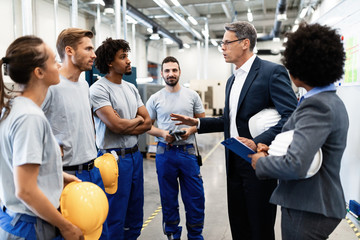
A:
67	107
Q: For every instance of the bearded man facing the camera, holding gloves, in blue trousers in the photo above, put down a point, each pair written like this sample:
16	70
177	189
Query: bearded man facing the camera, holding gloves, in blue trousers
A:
176	162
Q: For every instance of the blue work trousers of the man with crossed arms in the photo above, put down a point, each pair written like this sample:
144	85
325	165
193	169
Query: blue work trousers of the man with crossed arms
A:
125	217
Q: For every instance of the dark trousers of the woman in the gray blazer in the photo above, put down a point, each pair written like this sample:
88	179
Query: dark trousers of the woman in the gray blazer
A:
301	225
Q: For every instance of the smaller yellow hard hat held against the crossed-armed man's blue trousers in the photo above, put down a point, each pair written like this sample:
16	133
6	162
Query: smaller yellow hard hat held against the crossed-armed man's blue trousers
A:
109	171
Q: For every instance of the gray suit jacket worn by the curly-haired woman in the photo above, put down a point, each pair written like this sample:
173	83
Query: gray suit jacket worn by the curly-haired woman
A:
319	121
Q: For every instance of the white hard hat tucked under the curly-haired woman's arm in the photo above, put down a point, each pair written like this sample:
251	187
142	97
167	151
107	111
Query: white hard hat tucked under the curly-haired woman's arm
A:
281	143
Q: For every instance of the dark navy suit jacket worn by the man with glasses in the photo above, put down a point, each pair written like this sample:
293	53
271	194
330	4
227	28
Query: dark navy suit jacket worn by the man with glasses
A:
267	85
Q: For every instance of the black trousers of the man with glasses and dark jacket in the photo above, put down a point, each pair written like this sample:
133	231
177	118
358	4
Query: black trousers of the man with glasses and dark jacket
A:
251	215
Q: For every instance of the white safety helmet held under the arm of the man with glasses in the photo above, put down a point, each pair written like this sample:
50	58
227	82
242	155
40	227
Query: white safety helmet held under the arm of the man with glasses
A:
263	120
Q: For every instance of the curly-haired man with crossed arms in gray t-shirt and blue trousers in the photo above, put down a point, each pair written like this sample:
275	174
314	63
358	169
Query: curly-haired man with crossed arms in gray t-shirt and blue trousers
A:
120	116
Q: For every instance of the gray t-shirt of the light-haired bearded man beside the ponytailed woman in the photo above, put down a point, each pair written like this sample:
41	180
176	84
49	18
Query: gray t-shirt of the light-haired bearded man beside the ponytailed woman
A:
67	107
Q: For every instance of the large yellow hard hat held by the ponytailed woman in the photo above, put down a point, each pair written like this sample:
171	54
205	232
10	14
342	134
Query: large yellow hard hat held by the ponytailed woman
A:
86	206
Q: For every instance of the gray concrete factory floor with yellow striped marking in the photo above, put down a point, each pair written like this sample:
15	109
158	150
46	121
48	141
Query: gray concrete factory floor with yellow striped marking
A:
216	219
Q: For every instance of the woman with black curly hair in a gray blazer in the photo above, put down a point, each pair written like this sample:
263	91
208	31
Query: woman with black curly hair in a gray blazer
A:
312	206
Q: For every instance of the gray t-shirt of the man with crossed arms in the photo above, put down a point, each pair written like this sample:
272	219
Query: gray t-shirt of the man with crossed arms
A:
125	99
